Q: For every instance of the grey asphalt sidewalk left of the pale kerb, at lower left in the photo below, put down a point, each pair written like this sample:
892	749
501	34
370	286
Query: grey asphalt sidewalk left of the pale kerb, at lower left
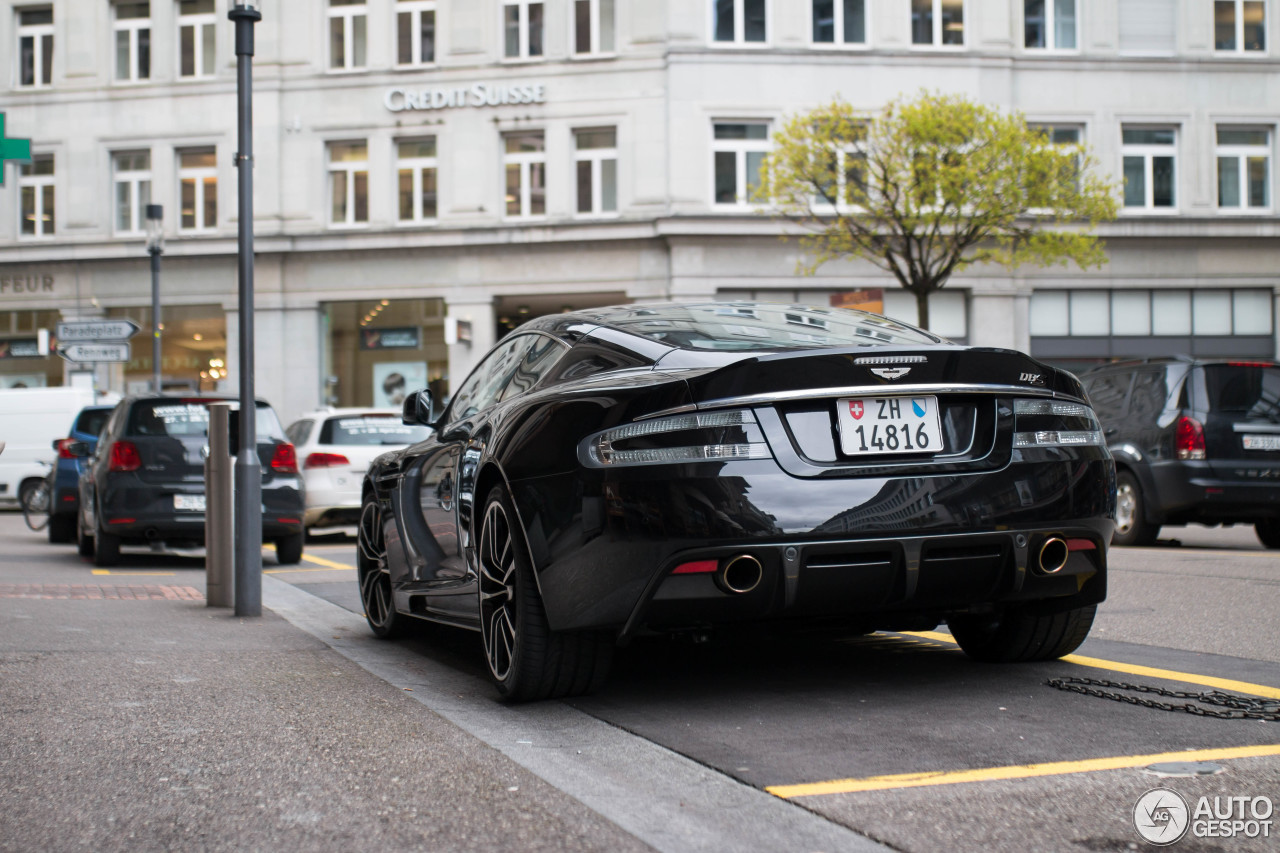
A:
139	719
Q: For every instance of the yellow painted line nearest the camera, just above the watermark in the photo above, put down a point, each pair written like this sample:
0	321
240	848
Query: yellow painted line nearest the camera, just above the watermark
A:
1021	772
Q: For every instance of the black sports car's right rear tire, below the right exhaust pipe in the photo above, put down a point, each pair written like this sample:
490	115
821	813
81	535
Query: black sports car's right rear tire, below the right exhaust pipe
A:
1020	635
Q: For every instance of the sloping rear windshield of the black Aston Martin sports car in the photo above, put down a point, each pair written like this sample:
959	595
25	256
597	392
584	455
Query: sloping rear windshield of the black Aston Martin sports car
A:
760	327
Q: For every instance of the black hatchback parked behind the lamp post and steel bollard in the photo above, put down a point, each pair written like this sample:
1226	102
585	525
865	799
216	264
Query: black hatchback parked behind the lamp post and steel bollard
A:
147	480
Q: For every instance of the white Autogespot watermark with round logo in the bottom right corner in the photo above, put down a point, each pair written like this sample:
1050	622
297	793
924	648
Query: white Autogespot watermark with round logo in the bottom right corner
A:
1164	816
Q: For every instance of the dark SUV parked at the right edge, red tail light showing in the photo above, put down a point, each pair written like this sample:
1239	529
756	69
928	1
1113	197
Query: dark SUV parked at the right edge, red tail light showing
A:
1195	441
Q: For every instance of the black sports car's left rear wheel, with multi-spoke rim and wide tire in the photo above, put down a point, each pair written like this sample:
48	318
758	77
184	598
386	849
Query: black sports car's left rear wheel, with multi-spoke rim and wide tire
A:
525	659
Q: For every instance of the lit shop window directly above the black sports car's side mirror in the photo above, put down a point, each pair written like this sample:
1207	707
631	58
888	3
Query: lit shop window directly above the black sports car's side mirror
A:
377	352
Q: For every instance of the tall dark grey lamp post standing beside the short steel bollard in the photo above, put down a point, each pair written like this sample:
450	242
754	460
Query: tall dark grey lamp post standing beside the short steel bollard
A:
249	471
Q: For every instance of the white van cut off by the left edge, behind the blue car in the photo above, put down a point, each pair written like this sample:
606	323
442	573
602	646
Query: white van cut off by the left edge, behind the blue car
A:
30	422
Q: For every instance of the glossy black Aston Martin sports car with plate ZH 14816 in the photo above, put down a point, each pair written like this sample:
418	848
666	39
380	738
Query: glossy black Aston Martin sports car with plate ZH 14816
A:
657	468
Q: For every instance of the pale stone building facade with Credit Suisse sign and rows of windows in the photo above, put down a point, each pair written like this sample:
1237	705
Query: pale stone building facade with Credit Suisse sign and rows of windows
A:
488	161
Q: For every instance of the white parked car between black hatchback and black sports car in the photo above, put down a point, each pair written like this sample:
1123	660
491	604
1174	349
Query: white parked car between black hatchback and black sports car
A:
335	450
